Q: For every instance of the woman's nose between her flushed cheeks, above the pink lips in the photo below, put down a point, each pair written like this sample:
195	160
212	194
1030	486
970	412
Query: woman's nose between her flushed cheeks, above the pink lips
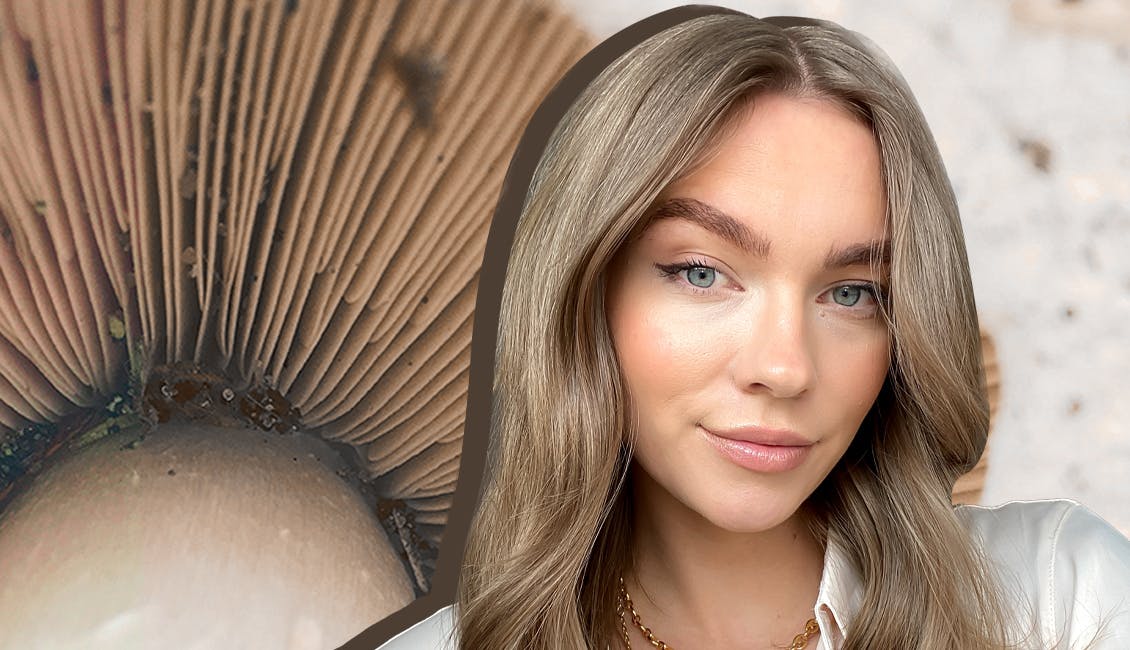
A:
777	358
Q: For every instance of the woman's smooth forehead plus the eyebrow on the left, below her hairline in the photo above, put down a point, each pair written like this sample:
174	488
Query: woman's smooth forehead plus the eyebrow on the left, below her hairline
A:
792	167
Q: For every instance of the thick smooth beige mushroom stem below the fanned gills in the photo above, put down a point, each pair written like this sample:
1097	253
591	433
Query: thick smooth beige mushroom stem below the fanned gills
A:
137	539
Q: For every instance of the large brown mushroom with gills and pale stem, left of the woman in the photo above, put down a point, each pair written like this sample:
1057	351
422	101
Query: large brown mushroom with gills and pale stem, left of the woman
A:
233	235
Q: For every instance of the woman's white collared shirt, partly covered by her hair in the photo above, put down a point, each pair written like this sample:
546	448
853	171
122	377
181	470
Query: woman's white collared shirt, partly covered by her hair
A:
1066	568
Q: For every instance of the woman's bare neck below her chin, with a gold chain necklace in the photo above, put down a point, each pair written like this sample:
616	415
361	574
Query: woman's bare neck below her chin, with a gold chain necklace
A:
698	585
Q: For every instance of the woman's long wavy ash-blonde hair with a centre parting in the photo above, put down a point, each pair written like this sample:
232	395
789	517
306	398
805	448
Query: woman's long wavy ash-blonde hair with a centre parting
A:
553	528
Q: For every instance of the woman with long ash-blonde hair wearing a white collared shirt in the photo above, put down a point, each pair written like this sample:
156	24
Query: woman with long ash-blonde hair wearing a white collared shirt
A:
740	372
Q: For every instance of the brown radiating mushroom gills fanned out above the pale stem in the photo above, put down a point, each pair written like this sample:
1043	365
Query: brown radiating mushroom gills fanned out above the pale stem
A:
265	214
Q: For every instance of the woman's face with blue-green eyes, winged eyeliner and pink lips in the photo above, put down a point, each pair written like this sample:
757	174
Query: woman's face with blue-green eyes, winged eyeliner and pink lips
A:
746	317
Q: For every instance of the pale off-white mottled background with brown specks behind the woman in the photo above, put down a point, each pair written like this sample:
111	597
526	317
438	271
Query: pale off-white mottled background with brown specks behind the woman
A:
1030	102
